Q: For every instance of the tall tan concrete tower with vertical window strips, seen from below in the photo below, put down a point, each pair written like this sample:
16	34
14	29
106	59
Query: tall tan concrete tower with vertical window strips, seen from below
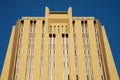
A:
59	46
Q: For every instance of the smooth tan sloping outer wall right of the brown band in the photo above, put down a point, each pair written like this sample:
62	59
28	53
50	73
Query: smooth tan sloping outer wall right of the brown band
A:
110	60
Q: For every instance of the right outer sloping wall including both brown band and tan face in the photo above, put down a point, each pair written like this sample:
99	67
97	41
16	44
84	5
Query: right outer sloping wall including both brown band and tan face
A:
109	64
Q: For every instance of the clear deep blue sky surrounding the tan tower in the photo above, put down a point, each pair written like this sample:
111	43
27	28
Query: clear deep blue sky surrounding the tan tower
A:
107	11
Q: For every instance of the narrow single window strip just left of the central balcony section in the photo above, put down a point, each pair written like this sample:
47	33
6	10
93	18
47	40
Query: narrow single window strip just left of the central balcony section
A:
42	52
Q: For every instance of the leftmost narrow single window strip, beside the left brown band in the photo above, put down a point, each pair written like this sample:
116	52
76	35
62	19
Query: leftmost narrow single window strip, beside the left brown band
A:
19	51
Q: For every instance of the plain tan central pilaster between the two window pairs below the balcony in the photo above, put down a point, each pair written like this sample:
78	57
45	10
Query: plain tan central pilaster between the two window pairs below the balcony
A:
59	59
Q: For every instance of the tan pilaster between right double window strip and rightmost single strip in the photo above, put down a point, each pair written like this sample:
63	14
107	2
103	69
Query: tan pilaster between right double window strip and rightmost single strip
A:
93	51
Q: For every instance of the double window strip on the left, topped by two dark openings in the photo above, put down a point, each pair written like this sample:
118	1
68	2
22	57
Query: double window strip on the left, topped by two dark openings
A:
30	53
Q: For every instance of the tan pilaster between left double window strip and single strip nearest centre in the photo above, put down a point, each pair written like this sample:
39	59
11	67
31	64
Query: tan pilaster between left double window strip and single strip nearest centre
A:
37	54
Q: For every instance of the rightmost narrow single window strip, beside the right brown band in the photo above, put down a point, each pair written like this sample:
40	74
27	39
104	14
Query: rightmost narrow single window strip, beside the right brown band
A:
98	50
